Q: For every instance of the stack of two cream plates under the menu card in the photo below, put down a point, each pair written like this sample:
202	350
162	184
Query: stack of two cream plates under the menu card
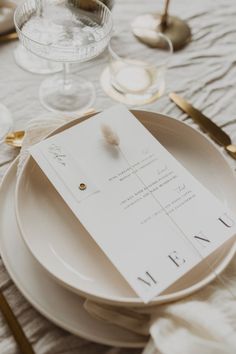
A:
56	264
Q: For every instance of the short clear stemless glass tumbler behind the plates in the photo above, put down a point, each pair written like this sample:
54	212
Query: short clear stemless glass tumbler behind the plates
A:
136	73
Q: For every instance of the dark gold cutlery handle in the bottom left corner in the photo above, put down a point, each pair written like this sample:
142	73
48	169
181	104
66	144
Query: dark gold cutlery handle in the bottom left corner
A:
15	327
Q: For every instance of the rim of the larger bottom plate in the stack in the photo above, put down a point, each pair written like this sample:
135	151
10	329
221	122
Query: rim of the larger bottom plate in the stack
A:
39	307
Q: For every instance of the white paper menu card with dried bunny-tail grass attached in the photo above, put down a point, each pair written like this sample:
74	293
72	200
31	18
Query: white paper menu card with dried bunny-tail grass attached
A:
149	215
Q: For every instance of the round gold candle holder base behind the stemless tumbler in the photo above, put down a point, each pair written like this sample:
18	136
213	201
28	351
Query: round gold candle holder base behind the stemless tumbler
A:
146	27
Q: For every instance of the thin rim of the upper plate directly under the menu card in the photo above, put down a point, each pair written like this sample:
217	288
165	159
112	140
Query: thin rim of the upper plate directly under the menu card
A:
133	301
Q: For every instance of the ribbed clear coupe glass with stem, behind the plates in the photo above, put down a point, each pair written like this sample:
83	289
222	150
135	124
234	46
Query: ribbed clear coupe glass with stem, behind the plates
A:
70	31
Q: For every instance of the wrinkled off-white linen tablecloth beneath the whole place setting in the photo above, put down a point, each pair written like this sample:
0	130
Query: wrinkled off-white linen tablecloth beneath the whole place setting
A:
204	72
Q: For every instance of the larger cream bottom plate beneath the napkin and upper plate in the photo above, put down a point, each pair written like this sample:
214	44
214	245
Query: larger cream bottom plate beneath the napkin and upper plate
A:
55	302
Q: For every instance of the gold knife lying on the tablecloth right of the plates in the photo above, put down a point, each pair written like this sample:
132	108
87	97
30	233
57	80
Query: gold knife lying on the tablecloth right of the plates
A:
214	131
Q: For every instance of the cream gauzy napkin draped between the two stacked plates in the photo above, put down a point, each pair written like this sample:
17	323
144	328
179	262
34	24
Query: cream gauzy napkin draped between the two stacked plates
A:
202	323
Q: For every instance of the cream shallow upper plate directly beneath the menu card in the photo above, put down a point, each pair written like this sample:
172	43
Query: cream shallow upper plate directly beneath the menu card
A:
63	247
